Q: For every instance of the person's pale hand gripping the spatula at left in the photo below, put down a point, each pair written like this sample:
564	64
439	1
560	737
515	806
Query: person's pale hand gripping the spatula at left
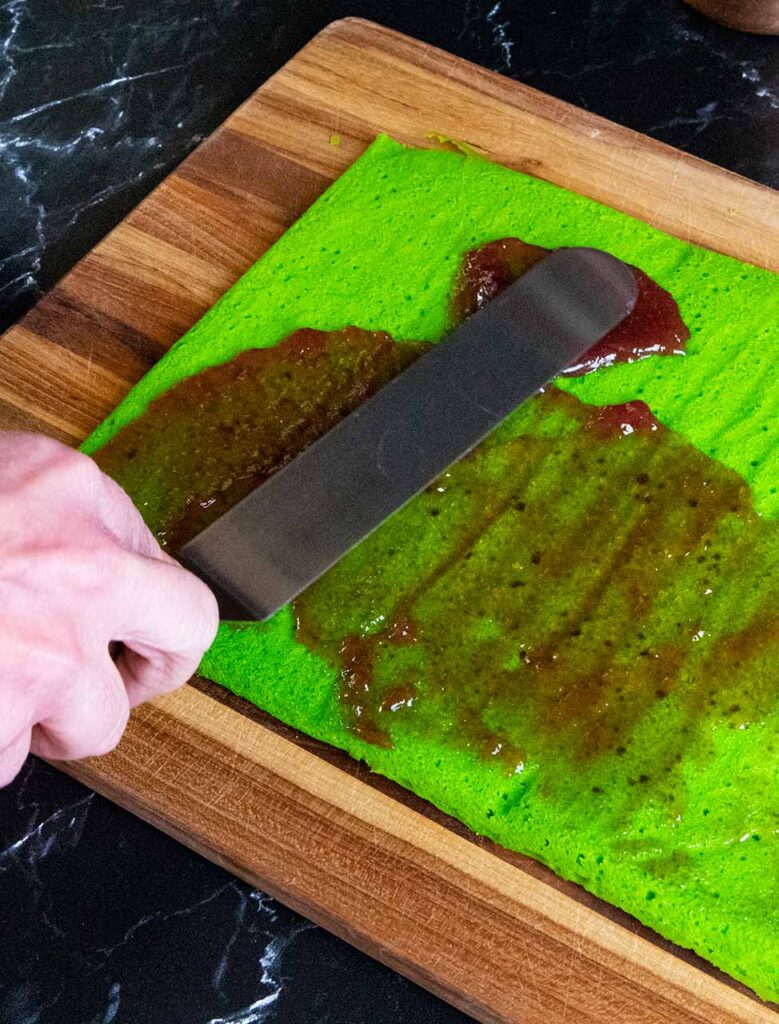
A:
79	569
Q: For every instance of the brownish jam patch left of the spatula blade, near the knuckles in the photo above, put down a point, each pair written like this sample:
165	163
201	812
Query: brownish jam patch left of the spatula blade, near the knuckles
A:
210	441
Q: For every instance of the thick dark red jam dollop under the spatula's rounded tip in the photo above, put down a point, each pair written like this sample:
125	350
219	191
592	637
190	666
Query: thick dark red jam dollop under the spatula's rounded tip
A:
655	328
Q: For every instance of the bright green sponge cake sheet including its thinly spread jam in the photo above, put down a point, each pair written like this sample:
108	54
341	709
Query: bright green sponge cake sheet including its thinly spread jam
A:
571	642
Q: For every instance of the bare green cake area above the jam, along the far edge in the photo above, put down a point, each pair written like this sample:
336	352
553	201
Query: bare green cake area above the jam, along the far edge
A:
380	250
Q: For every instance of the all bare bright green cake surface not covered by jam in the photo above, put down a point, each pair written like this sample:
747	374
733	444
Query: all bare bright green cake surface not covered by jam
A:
380	250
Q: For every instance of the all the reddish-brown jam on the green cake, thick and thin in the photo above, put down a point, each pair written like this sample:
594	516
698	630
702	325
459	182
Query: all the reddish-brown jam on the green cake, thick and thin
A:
584	588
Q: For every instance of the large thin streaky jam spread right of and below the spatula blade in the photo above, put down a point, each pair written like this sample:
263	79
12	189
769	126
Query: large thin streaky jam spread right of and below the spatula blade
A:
568	586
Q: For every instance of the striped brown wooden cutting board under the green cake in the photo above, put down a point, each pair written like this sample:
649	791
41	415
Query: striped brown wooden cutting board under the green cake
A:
493	932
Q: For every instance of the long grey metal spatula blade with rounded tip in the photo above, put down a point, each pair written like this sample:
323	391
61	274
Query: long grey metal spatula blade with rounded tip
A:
292	529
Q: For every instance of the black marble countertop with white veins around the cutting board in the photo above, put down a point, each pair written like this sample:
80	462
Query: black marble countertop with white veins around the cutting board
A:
102	918
